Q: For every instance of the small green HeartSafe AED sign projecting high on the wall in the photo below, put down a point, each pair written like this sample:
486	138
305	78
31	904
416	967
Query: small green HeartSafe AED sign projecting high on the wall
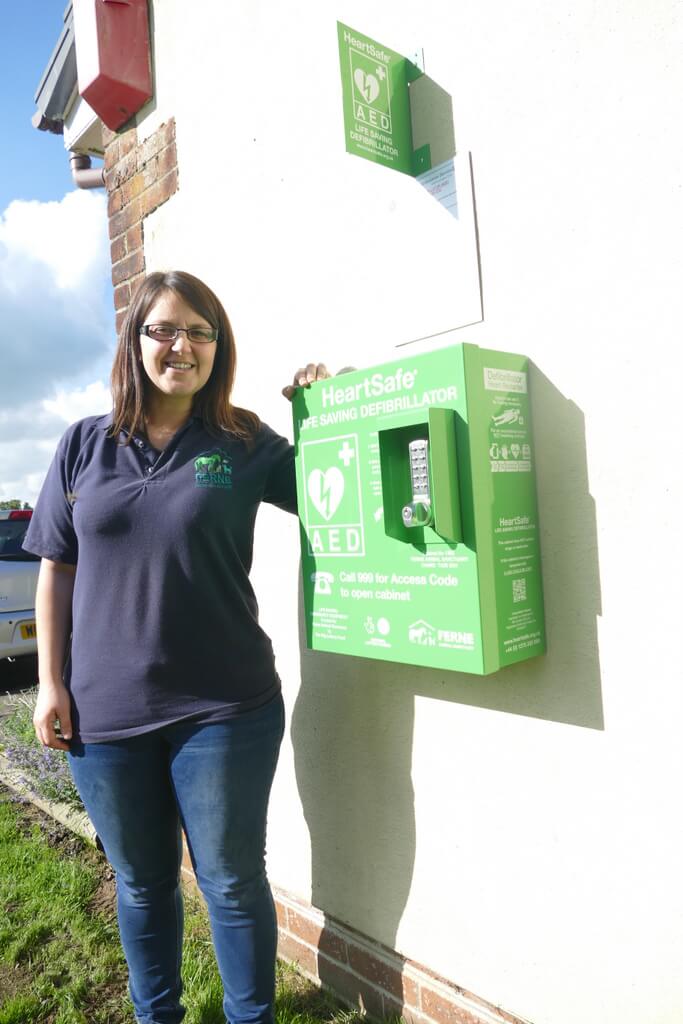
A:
377	112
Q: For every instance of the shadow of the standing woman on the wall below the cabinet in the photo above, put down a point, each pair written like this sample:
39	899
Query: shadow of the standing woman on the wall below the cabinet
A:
353	738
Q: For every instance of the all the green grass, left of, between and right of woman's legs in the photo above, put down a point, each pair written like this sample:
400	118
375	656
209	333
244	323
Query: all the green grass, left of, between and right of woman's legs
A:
61	961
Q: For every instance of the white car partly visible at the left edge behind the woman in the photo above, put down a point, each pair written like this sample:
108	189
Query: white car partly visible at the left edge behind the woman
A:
19	576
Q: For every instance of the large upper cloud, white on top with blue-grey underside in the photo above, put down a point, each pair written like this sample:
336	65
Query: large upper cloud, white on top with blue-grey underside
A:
57	315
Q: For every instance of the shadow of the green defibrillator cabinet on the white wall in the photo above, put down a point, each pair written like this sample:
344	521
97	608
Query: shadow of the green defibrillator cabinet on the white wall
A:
565	685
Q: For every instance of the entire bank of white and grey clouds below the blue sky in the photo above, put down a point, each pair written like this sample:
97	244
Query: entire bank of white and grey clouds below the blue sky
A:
57	330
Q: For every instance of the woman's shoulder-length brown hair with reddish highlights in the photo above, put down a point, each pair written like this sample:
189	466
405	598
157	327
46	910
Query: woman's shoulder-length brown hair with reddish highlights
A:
130	381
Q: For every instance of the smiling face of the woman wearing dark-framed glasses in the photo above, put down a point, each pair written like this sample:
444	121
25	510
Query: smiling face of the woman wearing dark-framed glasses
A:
180	369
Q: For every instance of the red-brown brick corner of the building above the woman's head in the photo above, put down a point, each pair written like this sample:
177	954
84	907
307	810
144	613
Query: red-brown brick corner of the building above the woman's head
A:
140	178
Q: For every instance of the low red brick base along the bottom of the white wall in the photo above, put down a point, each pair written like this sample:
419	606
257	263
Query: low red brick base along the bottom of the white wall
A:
366	975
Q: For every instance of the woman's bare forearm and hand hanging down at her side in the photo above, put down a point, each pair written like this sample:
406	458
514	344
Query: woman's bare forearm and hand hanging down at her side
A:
54	617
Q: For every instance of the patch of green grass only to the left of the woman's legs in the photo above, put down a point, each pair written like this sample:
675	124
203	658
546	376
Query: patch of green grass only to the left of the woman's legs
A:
60	958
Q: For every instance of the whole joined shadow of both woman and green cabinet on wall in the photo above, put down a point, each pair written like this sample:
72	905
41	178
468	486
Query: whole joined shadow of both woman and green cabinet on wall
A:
354	720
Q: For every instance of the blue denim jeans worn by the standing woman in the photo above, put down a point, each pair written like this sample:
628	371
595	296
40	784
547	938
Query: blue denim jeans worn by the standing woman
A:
215	781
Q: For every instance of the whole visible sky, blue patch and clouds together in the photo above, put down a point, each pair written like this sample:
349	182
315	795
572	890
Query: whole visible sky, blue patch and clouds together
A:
57	313
